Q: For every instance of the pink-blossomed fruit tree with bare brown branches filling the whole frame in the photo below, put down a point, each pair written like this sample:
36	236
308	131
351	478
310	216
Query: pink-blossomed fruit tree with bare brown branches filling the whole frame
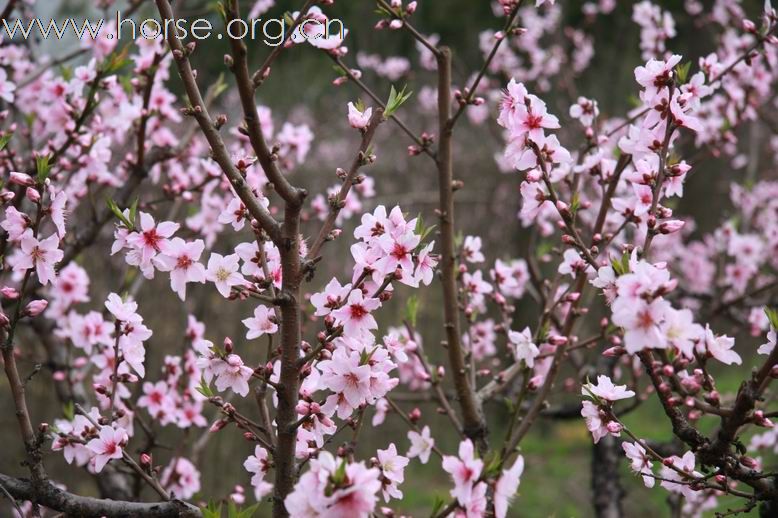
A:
627	296
